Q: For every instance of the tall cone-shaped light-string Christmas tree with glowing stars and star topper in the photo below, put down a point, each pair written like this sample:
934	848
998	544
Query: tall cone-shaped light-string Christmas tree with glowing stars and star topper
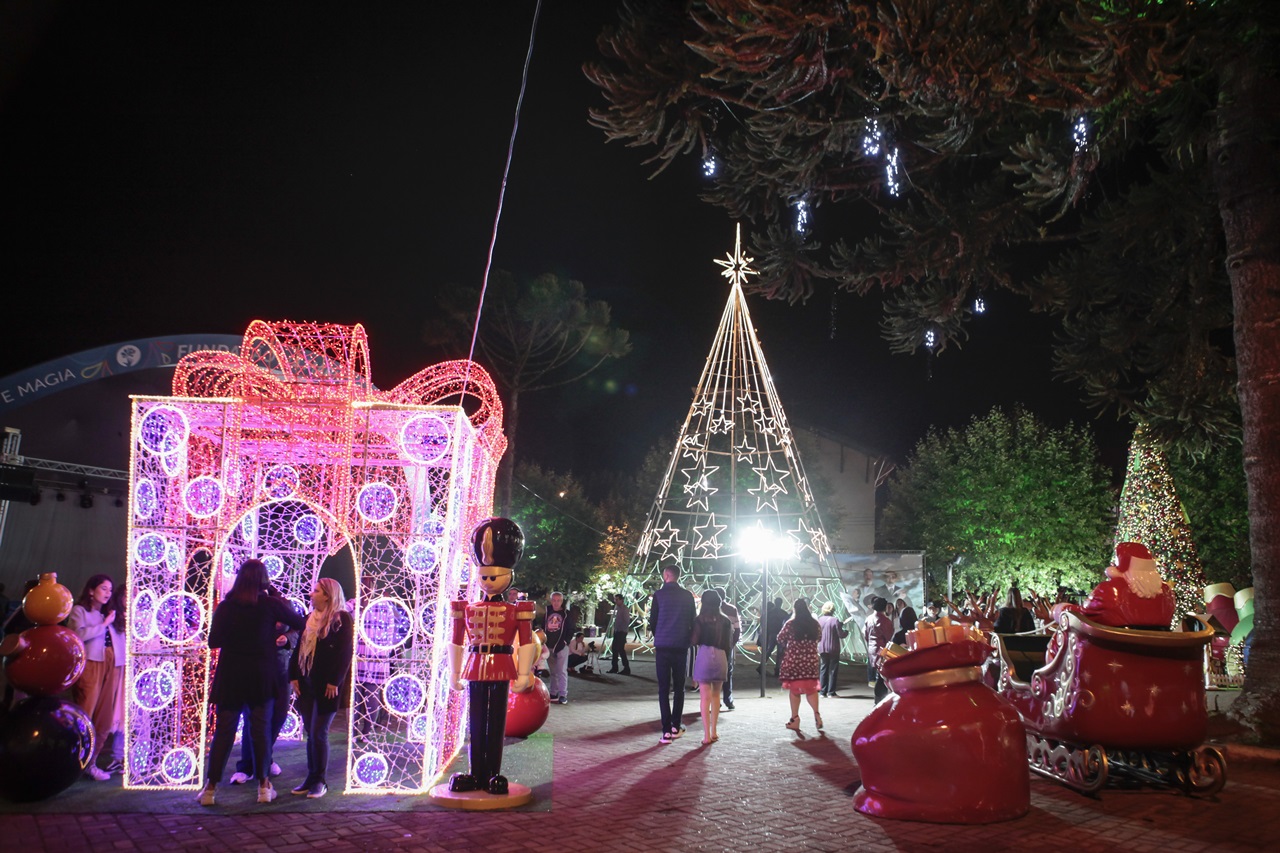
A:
735	486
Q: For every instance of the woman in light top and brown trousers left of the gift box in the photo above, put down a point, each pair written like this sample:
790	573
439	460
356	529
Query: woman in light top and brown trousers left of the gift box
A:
98	690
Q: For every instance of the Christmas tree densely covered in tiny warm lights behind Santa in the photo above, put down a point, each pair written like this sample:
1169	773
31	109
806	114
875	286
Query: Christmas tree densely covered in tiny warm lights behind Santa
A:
1151	514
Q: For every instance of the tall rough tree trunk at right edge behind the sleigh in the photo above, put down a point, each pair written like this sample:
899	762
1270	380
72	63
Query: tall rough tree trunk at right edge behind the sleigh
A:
1247	180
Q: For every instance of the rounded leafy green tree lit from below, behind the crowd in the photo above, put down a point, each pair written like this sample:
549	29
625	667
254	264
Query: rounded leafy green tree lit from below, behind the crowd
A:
1017	500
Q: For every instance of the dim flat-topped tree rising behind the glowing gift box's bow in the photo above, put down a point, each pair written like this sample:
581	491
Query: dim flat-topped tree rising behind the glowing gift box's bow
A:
534	335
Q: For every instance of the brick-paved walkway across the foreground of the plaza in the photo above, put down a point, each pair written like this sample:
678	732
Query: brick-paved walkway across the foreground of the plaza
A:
760	790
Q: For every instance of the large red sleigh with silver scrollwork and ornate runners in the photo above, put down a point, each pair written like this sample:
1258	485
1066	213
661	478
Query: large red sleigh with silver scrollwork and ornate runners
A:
1113	704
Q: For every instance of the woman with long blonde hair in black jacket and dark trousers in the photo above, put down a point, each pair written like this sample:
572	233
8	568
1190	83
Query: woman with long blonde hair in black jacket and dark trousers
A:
318	669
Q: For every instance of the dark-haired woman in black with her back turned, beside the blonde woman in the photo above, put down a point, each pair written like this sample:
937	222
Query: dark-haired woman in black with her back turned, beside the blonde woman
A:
244	630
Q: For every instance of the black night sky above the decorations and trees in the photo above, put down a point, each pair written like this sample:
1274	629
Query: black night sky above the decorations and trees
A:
171	170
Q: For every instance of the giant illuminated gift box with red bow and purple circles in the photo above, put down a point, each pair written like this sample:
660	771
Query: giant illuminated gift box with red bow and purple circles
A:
289	454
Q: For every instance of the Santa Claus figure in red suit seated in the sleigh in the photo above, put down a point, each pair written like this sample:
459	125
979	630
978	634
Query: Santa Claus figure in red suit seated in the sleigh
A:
1133	595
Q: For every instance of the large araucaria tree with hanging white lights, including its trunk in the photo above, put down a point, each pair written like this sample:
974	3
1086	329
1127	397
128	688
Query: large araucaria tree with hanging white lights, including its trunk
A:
950	148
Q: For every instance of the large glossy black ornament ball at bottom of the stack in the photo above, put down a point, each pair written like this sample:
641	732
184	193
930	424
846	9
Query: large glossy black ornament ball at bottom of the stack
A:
45	746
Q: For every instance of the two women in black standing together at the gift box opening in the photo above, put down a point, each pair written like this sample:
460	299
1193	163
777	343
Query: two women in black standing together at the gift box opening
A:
249	627
